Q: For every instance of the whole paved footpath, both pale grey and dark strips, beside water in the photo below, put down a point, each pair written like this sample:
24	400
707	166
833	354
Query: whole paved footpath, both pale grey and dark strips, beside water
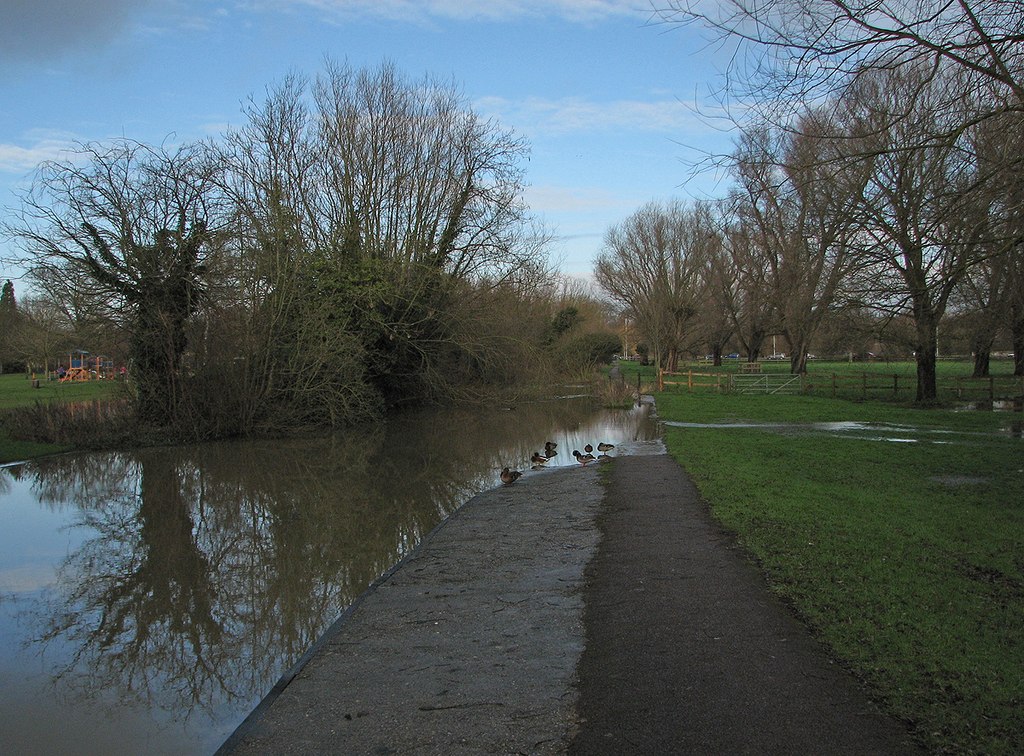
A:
561	615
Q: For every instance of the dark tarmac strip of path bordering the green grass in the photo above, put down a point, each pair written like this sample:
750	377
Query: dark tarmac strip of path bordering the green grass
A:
688	652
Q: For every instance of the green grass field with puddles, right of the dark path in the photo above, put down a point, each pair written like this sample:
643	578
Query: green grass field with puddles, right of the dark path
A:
903	545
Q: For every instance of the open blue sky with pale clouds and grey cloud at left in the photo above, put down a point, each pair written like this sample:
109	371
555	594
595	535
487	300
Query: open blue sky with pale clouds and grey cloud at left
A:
615	105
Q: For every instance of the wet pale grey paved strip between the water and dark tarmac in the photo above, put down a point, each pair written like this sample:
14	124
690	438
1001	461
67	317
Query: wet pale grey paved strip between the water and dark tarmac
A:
470	647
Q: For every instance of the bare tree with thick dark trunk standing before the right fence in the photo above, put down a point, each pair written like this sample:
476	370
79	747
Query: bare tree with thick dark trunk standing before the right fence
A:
921	230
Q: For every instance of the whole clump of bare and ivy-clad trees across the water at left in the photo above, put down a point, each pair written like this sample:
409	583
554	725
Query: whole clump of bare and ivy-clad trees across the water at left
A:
361	242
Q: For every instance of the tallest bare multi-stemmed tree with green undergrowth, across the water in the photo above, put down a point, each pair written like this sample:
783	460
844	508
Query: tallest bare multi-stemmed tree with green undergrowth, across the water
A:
375	222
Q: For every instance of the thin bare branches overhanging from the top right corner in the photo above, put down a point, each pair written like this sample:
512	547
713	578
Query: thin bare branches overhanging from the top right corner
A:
799	51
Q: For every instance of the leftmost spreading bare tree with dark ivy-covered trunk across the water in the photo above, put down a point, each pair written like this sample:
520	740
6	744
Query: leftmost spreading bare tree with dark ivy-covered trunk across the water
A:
134	224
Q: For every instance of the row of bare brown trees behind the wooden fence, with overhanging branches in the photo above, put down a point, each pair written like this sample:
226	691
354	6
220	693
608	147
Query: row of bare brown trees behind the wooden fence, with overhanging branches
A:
877	177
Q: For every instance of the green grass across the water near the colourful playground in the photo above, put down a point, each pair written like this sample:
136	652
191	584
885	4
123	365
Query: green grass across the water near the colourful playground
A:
17	393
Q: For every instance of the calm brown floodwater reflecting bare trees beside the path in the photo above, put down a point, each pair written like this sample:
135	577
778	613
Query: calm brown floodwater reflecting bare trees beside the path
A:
149	600
